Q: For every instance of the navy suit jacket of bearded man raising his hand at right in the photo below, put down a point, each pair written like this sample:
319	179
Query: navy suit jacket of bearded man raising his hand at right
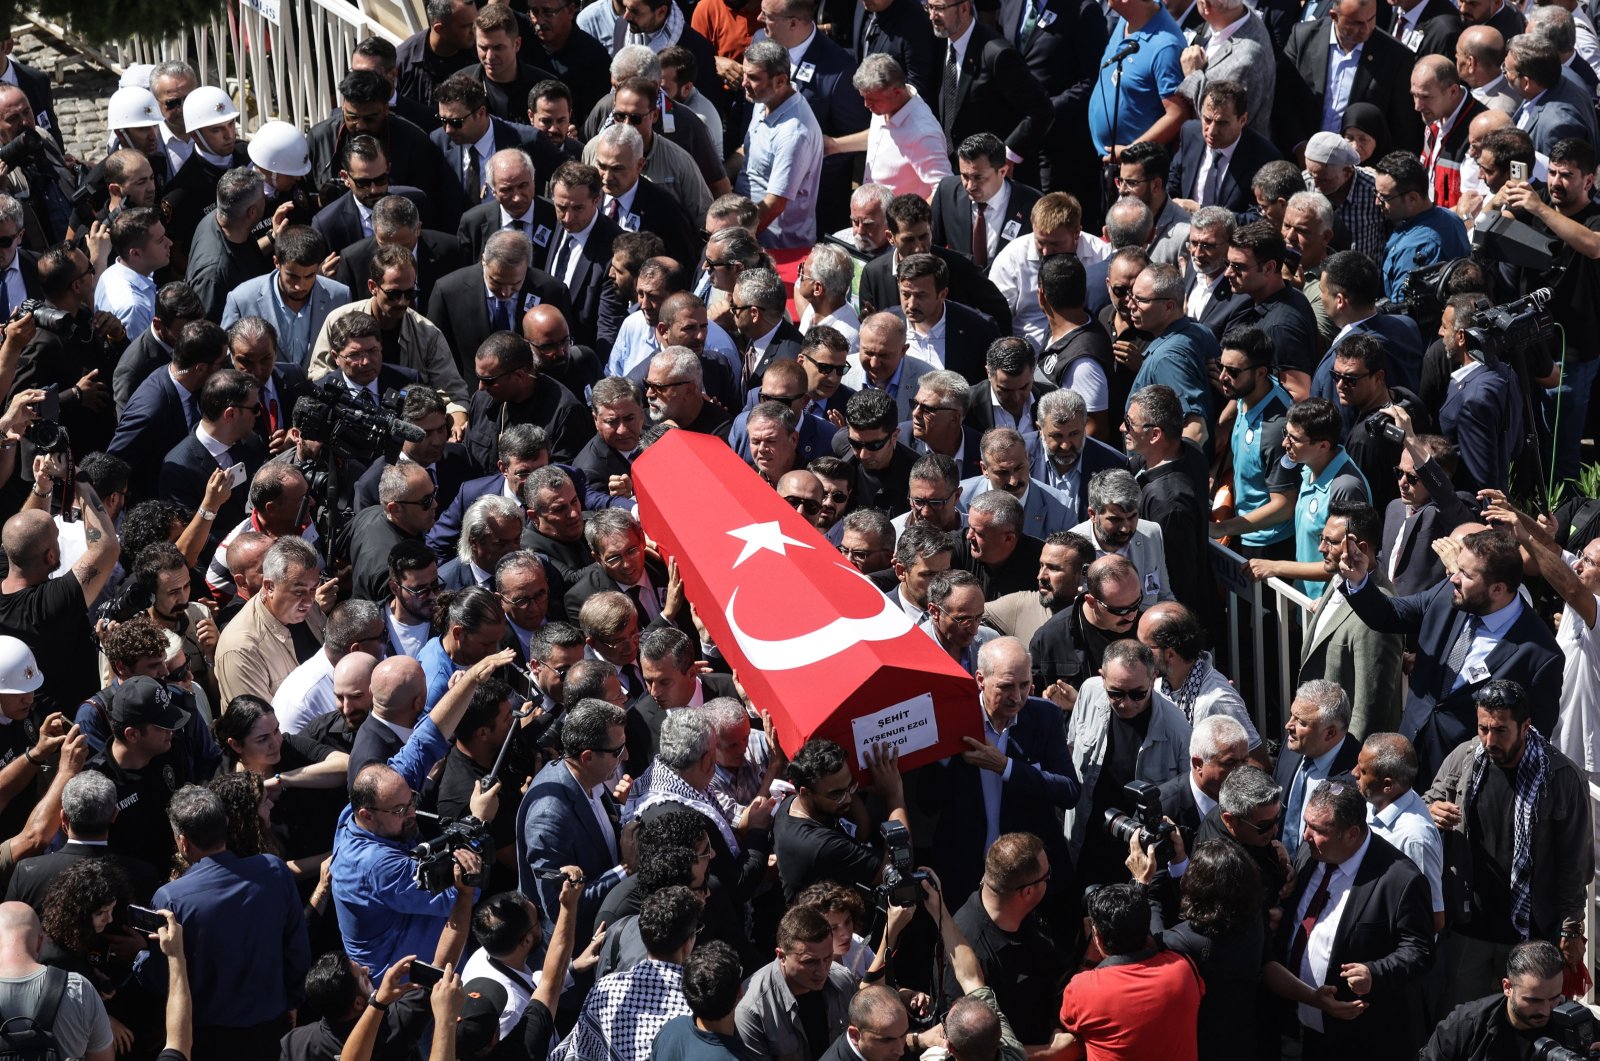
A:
1438	719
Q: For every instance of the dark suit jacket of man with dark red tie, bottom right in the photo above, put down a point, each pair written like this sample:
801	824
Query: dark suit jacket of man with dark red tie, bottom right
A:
1386	926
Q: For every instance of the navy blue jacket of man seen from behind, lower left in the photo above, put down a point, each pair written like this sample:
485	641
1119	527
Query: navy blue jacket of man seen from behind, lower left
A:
233	908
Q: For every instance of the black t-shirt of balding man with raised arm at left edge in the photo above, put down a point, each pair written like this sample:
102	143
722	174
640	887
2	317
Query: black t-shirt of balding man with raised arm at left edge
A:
54	622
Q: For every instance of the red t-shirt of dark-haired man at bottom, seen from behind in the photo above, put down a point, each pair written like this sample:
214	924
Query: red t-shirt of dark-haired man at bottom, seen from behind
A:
1137	1012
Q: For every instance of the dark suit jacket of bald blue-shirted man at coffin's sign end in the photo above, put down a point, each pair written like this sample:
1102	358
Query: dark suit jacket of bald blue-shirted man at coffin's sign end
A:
1042	783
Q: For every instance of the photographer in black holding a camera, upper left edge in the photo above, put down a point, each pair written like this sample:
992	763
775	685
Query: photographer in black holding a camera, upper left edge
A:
76	348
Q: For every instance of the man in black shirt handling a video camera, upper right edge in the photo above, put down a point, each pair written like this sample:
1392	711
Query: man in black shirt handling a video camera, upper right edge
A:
1567	212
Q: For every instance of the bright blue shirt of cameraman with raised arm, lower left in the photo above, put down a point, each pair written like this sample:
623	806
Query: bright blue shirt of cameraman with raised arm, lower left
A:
383	915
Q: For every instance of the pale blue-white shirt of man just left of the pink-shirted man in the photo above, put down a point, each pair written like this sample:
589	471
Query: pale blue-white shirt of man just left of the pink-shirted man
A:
783	153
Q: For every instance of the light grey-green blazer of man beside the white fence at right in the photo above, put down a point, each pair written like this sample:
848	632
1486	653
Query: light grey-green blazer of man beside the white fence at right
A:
1362	660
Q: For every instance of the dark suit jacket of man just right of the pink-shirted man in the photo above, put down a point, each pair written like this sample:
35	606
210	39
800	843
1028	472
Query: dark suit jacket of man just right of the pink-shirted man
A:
996	94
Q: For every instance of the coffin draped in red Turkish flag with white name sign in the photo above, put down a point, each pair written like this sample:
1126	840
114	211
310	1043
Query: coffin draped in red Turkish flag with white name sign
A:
812	639
